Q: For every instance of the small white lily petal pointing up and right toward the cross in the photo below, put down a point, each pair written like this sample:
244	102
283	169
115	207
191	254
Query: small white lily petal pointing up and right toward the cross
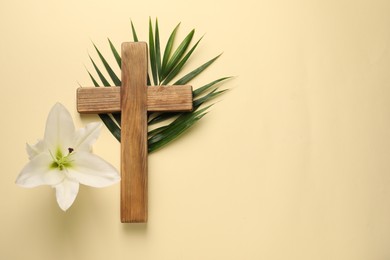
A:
86	136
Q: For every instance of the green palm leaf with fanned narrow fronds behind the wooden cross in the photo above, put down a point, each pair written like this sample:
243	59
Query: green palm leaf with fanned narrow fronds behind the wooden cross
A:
164	67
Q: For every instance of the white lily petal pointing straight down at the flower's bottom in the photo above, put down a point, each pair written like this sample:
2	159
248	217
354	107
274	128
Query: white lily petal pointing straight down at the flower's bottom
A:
66	193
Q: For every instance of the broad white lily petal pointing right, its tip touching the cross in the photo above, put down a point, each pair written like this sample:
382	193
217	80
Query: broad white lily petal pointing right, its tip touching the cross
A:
91	170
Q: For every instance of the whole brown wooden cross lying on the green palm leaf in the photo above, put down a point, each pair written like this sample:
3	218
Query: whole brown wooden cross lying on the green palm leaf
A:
134	99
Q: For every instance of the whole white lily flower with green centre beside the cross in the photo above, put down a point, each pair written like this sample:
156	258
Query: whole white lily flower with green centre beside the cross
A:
64	159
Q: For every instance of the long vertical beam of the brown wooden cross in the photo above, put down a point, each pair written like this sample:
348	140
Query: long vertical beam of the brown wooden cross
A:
134	151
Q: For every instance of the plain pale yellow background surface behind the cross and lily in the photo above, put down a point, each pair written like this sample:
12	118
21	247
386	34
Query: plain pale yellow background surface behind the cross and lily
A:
293	163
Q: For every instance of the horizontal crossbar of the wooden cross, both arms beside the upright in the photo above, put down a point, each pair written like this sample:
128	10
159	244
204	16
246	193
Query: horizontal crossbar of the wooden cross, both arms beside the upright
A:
94	100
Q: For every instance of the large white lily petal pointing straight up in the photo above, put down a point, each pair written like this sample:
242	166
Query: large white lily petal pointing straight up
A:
60	130
